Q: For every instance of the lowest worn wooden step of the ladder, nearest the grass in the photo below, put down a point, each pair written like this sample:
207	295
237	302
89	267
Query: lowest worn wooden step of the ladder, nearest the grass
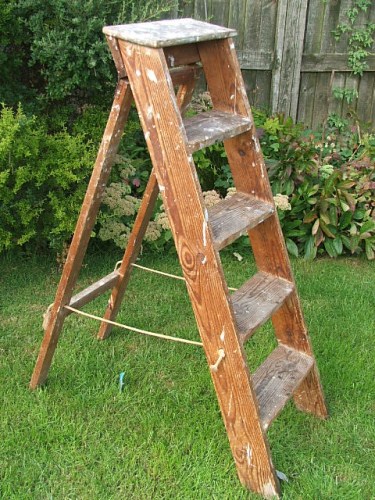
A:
276	380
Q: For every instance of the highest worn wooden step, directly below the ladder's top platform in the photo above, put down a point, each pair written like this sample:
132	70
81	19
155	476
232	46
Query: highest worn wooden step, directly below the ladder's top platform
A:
206	128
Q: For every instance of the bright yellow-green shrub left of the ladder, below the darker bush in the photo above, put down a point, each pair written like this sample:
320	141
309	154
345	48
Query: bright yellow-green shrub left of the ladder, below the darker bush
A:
43	178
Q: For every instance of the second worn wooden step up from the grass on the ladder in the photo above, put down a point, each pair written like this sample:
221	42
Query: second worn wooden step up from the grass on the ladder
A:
256	301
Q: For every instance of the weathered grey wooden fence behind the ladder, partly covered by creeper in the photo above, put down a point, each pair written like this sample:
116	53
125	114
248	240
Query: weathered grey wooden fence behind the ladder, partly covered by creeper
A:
289	57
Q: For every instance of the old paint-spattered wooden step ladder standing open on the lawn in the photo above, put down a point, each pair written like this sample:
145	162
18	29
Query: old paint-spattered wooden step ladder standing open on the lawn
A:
152	59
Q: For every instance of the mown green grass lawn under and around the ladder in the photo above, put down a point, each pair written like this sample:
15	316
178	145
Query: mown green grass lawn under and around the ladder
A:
163	436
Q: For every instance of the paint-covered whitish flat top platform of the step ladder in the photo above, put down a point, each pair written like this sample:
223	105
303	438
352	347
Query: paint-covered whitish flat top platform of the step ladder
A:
168	32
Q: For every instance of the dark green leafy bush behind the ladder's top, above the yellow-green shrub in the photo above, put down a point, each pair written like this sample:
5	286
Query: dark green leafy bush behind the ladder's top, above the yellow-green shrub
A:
63	46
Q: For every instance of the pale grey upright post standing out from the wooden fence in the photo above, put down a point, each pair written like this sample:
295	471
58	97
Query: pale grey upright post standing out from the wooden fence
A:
289	38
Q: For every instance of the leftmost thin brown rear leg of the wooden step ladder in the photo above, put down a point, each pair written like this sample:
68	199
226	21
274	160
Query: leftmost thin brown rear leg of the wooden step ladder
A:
111	139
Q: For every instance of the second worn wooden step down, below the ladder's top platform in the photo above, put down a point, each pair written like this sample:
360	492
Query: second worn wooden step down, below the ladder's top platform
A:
232	217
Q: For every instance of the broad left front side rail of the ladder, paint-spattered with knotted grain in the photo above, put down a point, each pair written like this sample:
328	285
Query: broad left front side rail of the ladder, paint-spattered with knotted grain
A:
163	128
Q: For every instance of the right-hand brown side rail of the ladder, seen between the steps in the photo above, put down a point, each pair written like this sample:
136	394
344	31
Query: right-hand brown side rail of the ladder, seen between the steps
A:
227	90
